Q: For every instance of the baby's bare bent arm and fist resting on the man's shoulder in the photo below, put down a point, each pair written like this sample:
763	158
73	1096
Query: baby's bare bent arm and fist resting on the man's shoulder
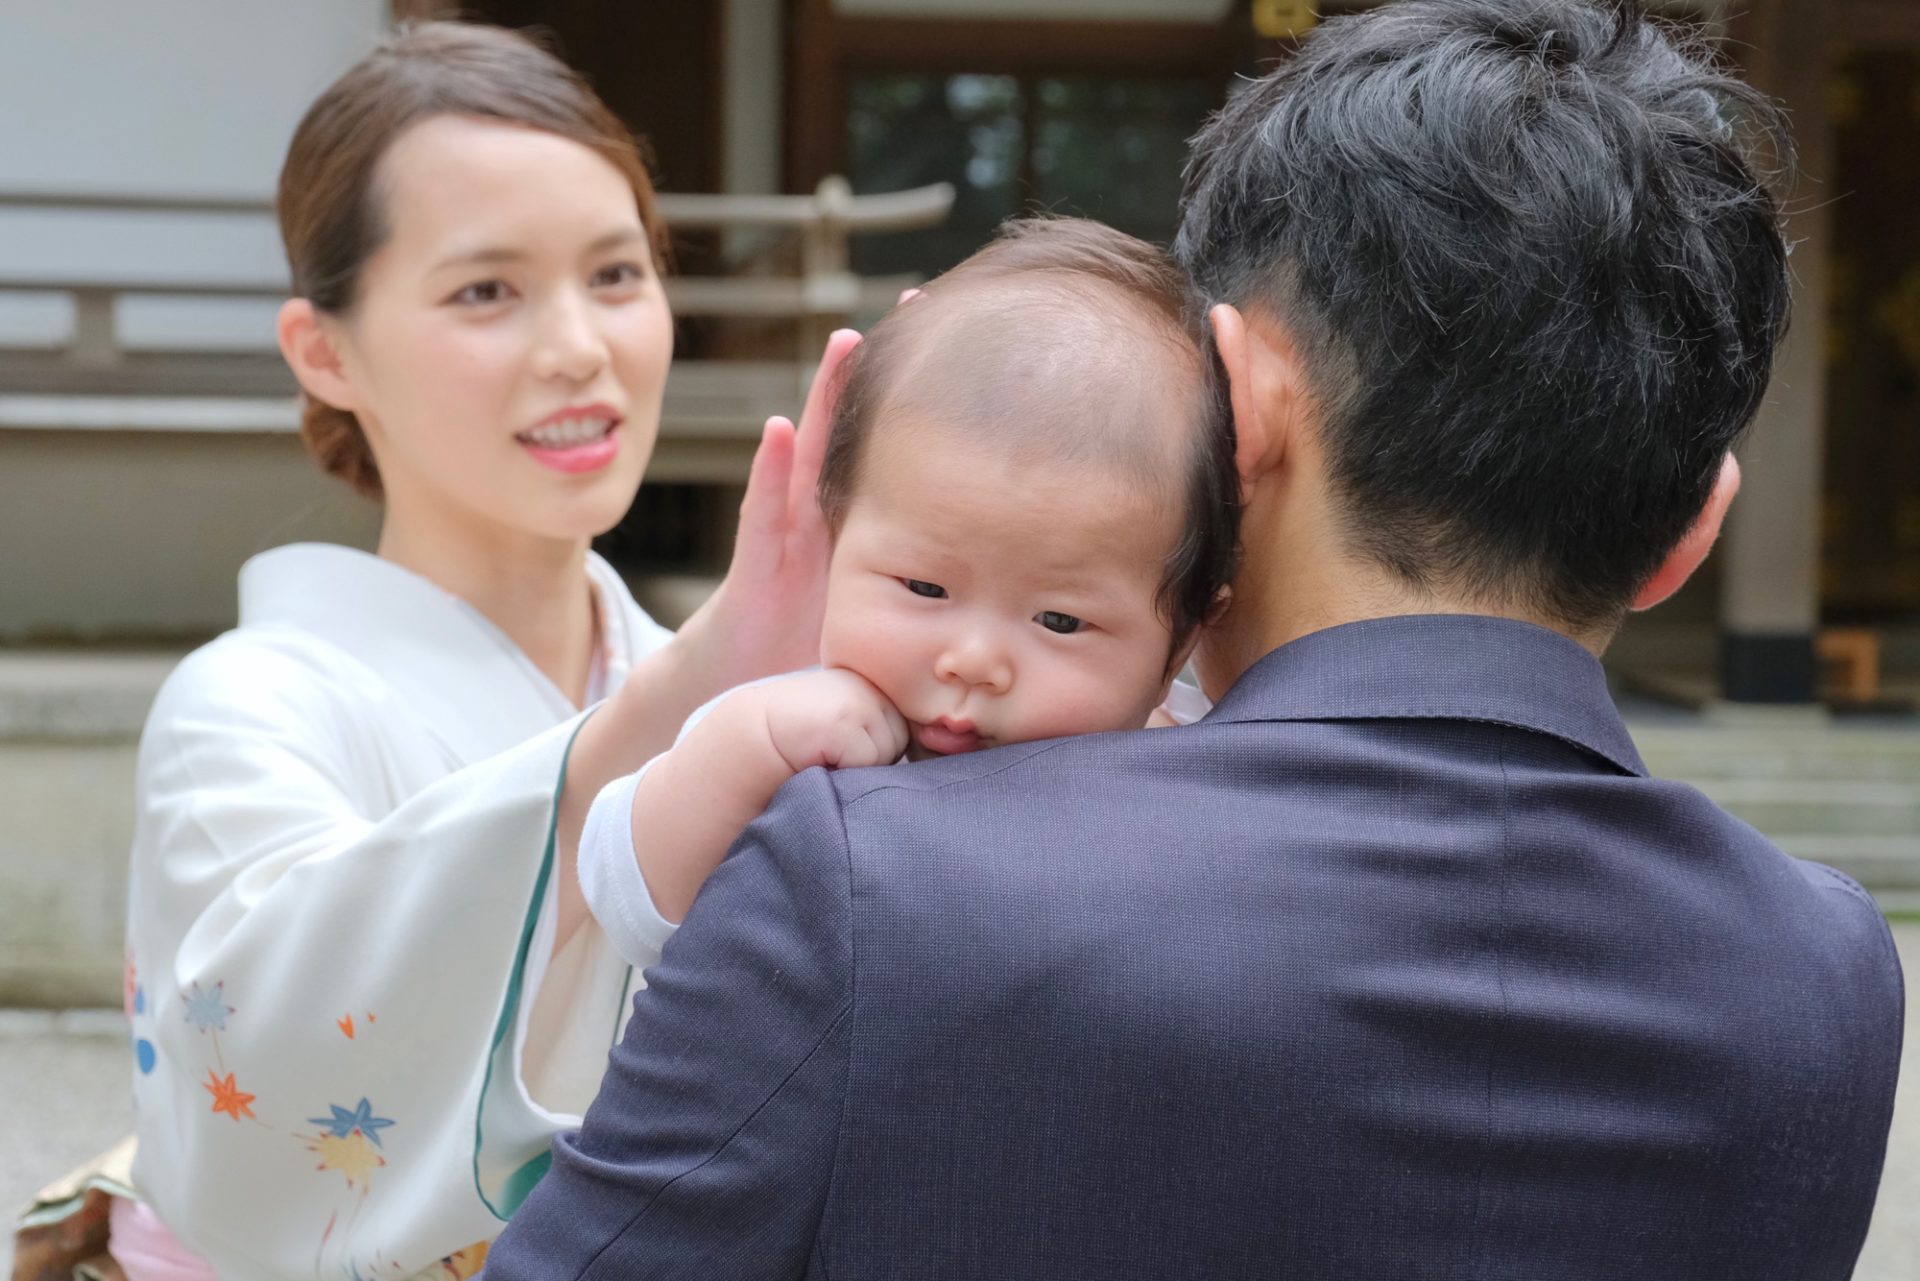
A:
696	800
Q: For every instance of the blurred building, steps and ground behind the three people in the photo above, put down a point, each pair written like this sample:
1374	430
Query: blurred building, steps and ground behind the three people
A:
817	157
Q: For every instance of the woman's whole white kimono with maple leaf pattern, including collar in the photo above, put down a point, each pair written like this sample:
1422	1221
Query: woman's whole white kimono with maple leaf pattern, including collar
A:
352	1038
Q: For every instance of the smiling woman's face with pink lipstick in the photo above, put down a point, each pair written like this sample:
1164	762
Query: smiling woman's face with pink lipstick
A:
510	341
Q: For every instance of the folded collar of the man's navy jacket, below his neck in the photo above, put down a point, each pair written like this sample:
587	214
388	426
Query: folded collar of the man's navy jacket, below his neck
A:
1439	667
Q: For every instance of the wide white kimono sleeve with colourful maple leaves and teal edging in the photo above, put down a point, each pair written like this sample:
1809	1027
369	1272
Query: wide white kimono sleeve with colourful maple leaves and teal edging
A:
331	948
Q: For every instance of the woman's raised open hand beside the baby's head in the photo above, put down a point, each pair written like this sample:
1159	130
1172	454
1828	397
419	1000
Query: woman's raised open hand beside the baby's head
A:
767	616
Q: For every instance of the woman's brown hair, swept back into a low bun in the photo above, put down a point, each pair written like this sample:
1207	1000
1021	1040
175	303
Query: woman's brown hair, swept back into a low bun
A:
331	201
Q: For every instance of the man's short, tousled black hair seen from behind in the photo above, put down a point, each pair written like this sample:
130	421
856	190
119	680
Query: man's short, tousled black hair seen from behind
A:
1535	276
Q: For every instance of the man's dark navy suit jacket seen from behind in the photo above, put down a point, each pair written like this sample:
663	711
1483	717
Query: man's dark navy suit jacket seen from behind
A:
1397	965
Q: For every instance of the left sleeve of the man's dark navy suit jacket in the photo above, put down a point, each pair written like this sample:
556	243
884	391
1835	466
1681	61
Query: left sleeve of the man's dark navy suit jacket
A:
711	1148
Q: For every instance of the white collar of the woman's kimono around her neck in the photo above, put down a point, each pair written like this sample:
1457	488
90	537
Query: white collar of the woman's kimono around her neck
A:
464	677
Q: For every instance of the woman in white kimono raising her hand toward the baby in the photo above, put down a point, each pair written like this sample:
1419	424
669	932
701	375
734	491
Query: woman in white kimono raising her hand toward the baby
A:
366	992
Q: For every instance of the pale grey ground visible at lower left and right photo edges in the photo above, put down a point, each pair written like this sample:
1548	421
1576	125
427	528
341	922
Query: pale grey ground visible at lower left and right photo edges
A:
64	1098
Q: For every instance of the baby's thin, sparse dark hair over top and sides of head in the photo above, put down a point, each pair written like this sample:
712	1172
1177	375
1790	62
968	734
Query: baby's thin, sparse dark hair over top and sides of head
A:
1063	341
